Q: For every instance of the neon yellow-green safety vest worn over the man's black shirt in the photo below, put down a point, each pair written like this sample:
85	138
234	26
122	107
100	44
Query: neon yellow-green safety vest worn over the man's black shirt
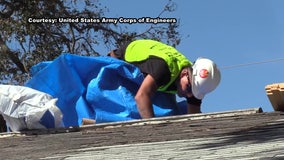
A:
141	50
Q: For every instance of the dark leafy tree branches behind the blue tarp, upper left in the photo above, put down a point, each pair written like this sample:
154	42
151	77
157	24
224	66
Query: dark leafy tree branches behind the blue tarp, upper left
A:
24	43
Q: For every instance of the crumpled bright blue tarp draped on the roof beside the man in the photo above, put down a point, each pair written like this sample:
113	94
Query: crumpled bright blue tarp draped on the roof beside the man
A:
100	88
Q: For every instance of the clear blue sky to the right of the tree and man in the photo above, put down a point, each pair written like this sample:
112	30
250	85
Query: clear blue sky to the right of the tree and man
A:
231	33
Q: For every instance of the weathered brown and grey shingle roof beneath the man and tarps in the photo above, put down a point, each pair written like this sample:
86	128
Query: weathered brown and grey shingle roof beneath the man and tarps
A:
243	134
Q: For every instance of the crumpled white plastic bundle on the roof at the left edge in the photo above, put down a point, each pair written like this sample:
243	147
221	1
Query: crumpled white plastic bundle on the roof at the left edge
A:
26	108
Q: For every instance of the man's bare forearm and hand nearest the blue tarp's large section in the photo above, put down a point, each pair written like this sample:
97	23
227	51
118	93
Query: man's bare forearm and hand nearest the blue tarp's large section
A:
144	95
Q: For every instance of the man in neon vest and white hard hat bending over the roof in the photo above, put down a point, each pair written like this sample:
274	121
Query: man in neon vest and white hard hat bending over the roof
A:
166	69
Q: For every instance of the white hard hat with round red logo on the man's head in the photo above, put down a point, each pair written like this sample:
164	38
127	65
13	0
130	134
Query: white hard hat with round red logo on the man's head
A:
205	77
